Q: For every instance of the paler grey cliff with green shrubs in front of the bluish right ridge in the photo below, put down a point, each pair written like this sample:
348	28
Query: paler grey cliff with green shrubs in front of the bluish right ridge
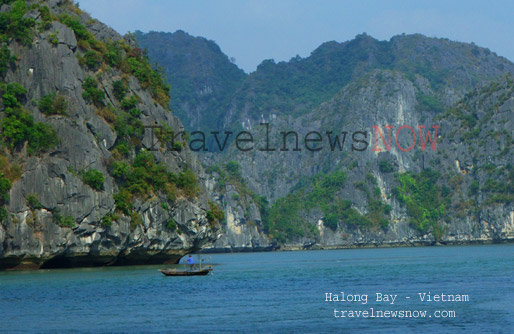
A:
461	192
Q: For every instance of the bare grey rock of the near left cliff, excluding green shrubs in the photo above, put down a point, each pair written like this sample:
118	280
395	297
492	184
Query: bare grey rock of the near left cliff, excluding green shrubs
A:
31	238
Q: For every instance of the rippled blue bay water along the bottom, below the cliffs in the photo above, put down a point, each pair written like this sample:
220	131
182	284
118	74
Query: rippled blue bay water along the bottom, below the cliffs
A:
280	292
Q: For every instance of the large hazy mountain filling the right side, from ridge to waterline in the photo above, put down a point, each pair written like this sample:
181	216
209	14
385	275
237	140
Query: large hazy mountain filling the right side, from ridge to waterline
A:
459	192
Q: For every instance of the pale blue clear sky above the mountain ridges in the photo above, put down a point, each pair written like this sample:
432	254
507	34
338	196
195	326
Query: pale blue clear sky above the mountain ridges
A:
254	30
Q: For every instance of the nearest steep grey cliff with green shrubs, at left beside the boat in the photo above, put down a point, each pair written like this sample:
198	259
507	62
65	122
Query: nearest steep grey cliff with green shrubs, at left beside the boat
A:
97	194
